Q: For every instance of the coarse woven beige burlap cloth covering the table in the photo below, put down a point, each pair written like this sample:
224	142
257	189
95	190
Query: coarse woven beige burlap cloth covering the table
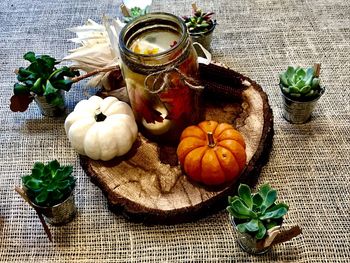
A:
309	164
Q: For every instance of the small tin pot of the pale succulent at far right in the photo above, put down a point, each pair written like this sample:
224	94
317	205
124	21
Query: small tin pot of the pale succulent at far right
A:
298	112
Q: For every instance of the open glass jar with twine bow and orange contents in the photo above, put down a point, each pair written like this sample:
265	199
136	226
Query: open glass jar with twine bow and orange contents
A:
160	68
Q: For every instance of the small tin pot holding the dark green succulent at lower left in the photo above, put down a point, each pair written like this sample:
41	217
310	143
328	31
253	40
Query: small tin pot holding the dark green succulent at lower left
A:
59	214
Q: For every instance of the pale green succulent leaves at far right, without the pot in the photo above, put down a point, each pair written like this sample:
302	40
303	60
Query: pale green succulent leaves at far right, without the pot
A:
300	84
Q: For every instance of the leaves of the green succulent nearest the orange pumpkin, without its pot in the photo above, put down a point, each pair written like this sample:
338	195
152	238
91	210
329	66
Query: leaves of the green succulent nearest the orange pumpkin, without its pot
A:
256	213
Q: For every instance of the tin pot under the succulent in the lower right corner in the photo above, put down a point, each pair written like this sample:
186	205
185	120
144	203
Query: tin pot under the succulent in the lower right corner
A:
249	243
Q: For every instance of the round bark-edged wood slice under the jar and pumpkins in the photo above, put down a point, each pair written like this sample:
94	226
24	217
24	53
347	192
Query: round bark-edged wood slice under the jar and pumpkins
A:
148	185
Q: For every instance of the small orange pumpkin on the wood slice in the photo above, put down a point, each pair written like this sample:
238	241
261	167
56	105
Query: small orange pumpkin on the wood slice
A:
212	153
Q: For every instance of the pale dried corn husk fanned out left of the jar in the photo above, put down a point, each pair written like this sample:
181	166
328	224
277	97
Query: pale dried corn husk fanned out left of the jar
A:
98	49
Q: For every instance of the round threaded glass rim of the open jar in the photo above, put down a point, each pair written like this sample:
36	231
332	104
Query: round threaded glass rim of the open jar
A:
149	17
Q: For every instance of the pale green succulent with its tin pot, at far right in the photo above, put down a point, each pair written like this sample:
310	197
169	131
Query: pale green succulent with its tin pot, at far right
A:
301	90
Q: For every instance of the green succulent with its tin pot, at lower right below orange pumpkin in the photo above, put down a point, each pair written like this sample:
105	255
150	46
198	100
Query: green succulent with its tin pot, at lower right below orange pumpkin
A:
256	217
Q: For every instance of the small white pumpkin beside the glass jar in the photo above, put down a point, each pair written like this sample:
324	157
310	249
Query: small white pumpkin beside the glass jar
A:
101	128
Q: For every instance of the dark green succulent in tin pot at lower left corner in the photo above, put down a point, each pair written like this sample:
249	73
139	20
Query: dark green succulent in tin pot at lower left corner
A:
49	189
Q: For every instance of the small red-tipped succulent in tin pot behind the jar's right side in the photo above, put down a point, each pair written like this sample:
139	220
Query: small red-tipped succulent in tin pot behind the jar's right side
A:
201	26
